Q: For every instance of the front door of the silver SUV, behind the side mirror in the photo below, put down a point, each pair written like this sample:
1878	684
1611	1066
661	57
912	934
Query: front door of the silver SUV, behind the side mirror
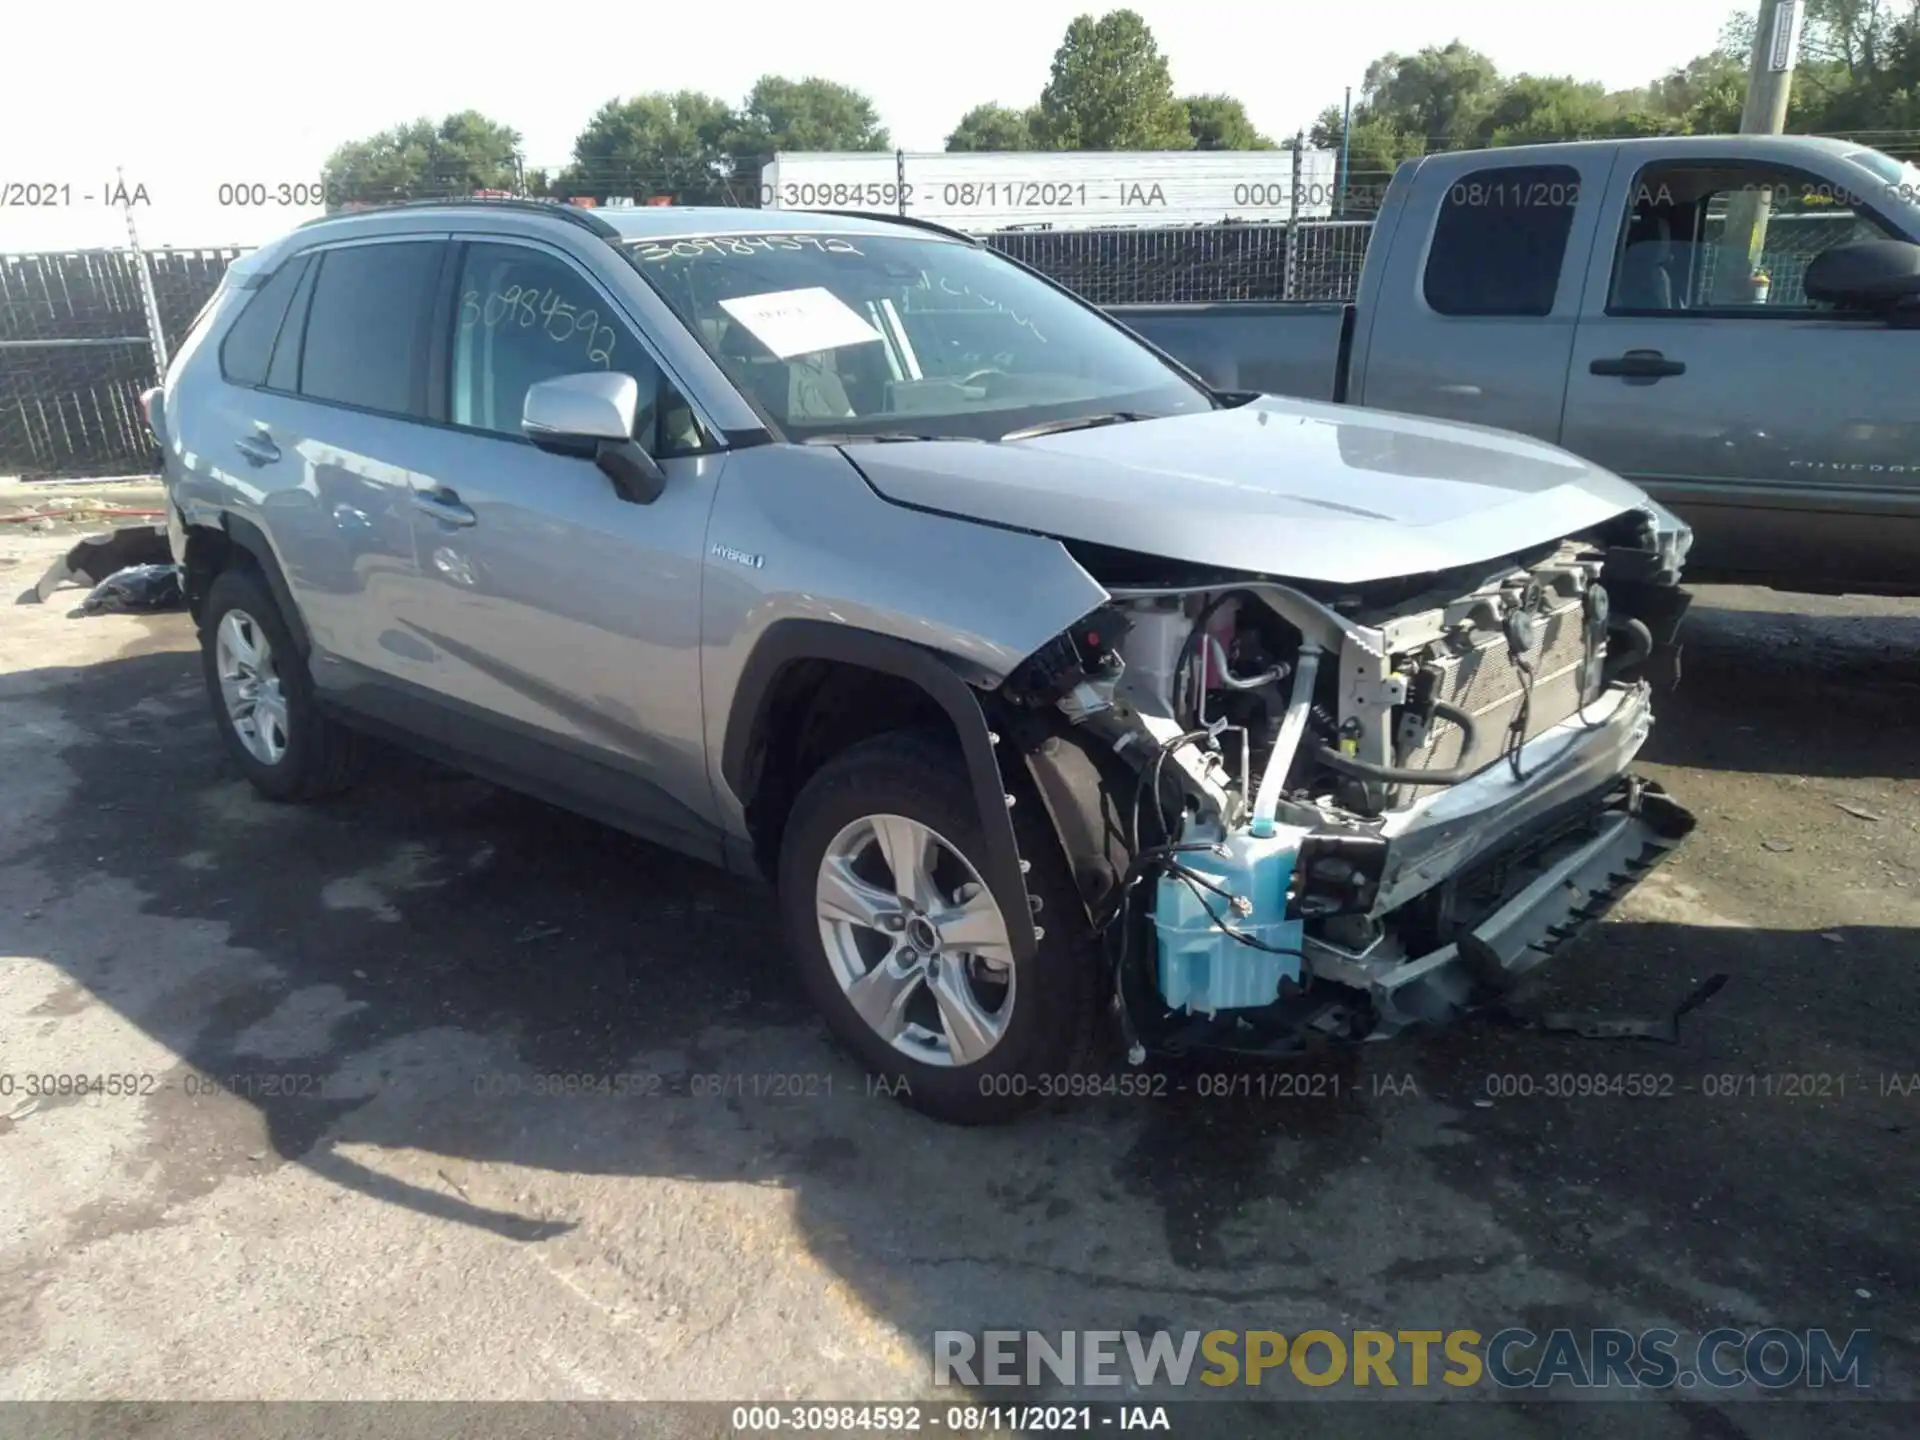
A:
564	619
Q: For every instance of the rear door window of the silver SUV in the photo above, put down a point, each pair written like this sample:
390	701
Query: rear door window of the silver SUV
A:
368	327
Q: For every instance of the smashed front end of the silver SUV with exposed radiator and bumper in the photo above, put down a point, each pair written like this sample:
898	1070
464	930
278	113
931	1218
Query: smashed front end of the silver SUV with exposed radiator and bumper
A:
1312	813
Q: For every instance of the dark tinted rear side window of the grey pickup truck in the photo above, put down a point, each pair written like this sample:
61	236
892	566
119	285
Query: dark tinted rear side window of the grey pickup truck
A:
1500	241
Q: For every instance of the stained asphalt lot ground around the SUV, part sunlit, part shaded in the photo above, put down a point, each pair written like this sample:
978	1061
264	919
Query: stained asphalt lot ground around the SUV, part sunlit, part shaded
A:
347	1168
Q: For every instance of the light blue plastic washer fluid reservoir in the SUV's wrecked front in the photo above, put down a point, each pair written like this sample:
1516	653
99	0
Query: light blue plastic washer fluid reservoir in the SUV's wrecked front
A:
1203	969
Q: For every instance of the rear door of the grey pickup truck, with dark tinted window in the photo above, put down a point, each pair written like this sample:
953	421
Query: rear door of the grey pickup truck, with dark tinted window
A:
1477	300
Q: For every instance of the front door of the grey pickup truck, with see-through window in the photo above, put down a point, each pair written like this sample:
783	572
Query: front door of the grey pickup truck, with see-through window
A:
1783	433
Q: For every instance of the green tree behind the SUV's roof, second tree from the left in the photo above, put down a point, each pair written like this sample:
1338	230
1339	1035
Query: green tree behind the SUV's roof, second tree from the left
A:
654	145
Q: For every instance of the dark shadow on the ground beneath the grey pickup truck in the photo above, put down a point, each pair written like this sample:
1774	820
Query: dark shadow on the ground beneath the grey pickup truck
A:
1823	696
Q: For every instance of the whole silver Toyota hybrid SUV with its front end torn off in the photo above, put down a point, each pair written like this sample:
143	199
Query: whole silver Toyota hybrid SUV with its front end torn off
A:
1061	696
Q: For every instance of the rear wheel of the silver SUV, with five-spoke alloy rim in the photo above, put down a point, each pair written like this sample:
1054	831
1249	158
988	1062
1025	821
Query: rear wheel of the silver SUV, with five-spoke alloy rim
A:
264	698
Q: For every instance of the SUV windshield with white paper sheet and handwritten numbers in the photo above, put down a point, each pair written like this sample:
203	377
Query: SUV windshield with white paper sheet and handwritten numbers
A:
878	335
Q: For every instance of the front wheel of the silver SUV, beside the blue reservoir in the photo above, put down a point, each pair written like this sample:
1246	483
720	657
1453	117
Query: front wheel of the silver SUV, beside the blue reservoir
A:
905	948
